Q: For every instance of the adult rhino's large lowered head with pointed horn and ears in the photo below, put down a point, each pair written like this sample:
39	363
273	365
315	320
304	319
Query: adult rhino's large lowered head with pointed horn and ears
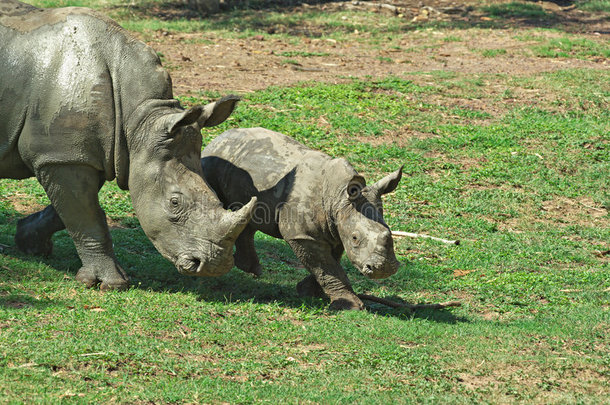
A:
177	209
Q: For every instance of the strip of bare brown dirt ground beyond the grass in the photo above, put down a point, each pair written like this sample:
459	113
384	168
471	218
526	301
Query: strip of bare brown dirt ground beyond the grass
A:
206	61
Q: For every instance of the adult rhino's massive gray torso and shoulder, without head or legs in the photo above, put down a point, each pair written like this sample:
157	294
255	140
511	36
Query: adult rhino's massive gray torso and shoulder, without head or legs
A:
68	79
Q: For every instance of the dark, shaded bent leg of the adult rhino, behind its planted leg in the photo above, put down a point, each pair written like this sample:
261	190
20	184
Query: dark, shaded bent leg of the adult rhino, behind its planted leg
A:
34	232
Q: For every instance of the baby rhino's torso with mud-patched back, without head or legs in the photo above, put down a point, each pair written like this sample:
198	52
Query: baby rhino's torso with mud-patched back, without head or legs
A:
285	176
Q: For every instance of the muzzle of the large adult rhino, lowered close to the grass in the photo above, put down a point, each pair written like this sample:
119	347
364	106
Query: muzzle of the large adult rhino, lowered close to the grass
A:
213	260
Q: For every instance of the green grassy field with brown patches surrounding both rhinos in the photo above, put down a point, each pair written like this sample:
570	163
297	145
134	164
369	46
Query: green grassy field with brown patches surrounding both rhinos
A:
514	166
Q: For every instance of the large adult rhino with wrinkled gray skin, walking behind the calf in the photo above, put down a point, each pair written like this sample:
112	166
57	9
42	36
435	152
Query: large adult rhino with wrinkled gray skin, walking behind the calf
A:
81	103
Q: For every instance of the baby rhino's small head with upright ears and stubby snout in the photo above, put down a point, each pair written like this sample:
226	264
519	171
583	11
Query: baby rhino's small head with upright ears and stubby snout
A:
359	221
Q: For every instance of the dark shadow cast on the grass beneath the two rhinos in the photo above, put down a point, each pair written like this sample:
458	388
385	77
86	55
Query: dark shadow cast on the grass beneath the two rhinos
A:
149	271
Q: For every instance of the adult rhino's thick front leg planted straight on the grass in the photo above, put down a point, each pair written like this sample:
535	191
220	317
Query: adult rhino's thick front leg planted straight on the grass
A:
73	192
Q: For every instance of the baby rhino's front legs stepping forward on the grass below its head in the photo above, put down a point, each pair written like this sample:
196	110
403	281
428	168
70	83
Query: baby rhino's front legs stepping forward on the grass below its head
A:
327	273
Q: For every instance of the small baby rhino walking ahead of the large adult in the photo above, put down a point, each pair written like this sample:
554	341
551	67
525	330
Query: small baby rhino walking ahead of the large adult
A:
319	205
